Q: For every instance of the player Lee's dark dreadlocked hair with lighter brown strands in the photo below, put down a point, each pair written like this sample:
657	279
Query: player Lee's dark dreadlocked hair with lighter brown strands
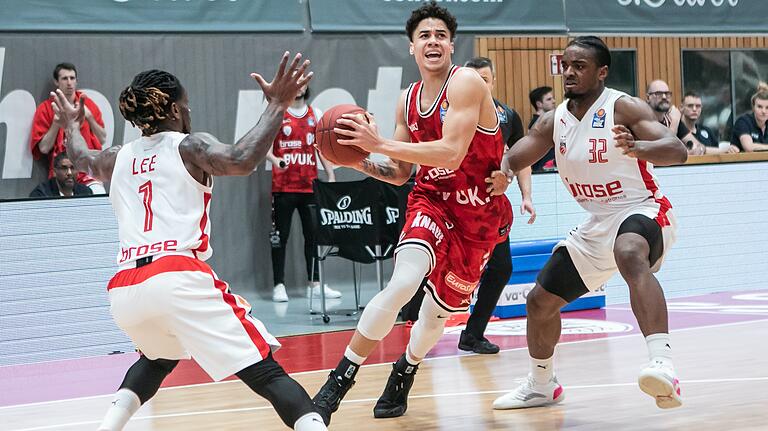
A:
147	101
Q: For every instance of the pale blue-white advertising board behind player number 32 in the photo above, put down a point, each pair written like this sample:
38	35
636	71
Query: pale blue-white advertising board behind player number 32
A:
722	238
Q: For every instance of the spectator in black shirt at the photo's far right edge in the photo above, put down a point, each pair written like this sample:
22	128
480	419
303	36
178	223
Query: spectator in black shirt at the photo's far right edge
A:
749	131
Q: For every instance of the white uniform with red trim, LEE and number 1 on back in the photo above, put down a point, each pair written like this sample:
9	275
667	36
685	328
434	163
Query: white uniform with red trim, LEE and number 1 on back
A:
175	307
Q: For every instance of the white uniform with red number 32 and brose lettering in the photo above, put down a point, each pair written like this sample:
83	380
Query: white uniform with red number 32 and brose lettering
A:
608	184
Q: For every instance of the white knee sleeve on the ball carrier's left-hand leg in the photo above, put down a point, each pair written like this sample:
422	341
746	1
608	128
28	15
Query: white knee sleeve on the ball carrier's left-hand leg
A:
379	316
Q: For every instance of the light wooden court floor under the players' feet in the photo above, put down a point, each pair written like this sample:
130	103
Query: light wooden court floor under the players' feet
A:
723	369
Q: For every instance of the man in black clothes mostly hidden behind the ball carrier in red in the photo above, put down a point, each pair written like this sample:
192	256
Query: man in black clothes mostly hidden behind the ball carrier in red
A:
499	266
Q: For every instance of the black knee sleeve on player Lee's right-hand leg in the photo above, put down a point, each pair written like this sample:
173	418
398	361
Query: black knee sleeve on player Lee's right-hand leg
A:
268	379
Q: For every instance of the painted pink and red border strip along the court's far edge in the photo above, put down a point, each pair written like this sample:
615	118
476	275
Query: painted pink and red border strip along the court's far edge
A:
49	381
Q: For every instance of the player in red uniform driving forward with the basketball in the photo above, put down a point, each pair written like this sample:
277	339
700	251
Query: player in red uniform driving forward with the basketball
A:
447	124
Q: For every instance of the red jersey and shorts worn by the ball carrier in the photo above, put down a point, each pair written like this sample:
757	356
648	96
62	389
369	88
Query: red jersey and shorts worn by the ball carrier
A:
449	212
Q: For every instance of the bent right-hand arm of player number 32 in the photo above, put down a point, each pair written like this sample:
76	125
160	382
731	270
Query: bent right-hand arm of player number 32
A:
640	135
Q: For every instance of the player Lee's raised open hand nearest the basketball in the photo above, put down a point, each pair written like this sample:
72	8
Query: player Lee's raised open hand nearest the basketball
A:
287	81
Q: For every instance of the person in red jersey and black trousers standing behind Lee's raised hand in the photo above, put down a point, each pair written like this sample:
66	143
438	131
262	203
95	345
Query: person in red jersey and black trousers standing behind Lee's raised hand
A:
294	167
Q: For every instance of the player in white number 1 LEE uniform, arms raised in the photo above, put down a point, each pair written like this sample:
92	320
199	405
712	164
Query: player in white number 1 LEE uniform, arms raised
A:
165	297
